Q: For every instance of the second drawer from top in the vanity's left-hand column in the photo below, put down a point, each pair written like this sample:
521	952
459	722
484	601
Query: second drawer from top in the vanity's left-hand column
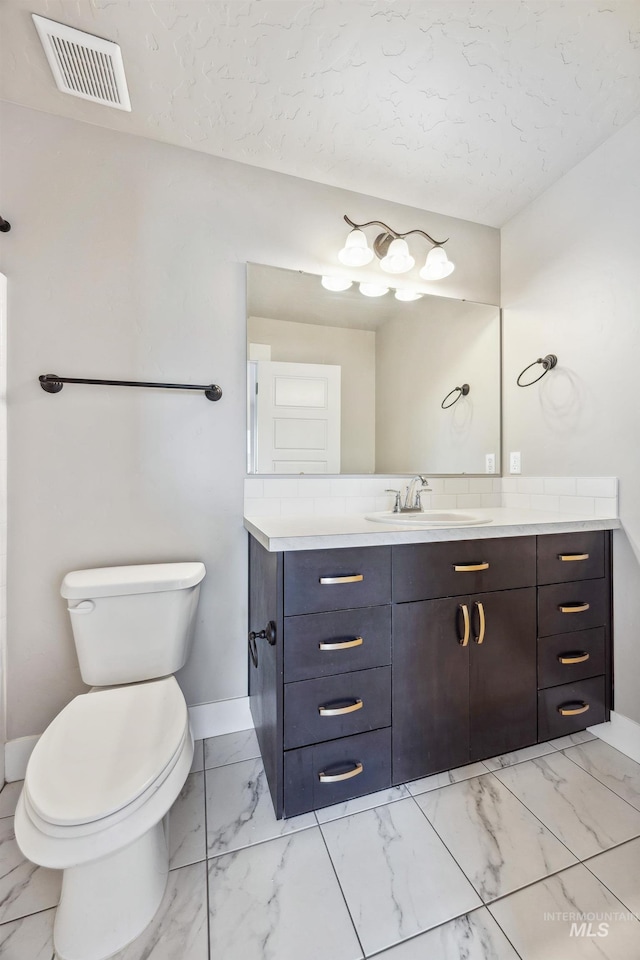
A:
323	644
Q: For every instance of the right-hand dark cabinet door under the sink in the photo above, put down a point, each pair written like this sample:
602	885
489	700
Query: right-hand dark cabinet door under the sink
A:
503	715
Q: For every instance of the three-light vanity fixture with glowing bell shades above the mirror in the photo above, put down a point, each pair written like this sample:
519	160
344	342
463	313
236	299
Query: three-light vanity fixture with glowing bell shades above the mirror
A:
392	251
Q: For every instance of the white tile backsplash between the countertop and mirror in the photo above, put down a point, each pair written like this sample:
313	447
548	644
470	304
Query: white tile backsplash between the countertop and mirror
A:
304	496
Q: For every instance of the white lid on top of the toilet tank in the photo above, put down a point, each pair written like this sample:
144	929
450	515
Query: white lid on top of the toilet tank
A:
121	581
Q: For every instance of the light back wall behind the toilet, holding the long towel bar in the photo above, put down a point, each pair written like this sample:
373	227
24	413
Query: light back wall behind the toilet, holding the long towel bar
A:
126	261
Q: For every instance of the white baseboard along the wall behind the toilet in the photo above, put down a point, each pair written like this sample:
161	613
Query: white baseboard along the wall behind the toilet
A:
207	720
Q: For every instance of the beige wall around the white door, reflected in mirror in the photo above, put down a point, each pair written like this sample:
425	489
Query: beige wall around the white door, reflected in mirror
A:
354	351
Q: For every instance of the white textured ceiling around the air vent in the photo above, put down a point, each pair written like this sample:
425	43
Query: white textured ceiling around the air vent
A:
466	108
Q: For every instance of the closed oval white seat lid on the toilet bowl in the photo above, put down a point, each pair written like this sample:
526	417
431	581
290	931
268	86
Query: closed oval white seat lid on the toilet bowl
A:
104	752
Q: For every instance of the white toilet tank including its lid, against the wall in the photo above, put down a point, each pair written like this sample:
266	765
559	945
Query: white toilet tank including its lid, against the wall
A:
132	623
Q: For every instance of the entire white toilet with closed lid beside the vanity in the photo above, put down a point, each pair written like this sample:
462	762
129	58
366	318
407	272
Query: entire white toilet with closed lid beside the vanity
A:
105	772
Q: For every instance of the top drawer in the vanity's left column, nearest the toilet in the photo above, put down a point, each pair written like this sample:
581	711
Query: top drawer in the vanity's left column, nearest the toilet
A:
319	580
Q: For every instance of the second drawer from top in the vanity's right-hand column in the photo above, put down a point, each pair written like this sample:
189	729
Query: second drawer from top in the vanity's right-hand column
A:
565	607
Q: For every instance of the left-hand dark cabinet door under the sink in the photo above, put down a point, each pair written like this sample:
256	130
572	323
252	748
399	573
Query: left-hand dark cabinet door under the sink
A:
430	699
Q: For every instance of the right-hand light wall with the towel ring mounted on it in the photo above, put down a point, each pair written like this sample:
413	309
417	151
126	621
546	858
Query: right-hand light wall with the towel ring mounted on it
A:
571	286
